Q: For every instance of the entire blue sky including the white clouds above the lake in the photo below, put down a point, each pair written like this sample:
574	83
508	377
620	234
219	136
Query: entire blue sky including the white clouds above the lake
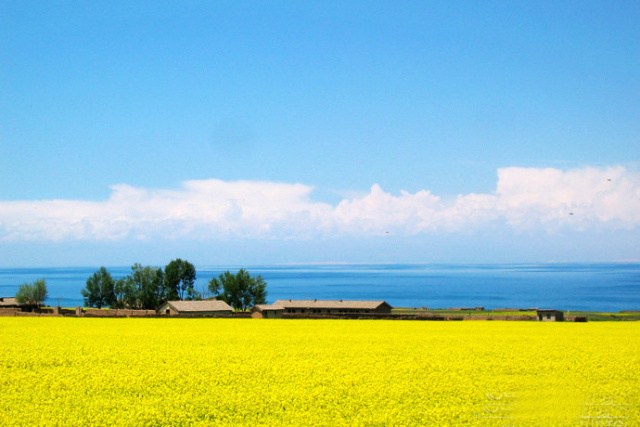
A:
276	132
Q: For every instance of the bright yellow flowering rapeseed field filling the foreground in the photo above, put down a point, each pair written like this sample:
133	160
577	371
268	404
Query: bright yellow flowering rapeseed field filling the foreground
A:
191	372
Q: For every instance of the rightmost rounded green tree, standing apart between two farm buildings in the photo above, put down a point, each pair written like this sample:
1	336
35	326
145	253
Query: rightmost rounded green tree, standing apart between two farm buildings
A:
240	291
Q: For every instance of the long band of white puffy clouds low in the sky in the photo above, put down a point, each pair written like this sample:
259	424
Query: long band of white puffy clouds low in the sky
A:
525	199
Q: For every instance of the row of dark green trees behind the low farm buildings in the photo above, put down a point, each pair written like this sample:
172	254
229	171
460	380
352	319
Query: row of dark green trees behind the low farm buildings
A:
149	287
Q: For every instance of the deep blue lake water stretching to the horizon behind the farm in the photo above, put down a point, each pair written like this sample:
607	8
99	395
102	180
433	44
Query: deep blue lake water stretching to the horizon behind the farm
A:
594	287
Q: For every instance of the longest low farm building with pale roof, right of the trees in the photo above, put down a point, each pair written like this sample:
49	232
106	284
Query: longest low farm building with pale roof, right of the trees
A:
311	307
